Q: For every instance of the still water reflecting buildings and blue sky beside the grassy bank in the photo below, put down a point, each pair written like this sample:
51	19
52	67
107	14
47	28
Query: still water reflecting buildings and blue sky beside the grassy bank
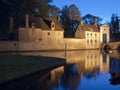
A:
85	70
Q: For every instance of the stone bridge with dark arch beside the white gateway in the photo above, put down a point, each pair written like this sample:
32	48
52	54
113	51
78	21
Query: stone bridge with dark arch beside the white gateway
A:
112	45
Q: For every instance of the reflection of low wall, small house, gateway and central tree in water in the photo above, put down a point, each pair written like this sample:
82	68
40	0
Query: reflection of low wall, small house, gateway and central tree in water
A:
80	64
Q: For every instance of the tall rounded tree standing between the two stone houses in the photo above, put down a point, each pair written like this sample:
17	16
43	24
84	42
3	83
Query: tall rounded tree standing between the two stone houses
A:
70	19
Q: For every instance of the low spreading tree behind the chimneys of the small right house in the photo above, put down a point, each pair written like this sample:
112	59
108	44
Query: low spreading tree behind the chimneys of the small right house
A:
89	19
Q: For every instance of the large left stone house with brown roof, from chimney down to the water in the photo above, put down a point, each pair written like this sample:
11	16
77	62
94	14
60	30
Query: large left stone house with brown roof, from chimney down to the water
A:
49	33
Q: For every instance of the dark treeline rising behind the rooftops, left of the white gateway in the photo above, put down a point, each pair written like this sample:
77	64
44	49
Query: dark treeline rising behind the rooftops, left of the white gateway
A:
70	15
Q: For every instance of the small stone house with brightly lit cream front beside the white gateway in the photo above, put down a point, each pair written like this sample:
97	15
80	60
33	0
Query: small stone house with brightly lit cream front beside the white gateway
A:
90	33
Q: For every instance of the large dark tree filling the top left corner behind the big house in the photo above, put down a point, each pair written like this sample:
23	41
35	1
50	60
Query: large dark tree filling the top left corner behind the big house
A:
18	8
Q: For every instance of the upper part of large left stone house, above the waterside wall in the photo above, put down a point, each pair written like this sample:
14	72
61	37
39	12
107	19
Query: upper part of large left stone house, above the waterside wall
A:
37	29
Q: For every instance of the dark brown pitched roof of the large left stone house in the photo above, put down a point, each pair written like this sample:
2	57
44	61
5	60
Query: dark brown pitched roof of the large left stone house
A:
43	23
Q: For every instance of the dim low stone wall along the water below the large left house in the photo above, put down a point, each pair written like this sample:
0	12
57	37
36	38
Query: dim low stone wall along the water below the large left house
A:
28	46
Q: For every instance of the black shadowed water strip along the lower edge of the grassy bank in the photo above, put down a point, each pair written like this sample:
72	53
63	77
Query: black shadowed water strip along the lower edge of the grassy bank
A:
28	82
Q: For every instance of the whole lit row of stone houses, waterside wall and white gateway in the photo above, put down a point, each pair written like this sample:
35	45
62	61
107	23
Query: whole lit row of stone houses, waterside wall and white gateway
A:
36	34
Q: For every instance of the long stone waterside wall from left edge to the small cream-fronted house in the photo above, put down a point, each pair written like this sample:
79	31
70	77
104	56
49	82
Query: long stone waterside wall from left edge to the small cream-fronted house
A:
44	44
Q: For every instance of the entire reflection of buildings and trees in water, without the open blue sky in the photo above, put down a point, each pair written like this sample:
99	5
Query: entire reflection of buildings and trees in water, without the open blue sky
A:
87	64
